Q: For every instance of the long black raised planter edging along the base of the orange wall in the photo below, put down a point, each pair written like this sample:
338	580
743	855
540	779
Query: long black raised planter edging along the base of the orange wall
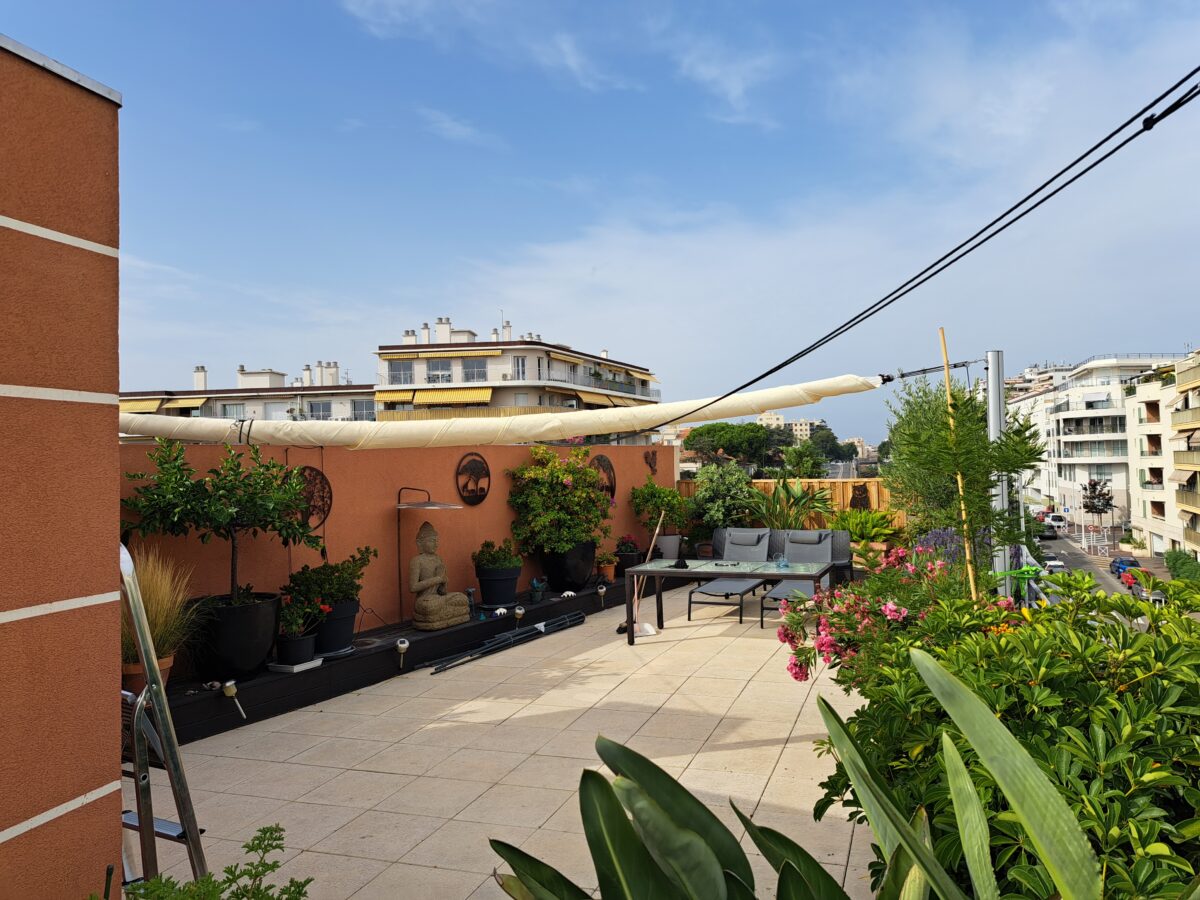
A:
199	713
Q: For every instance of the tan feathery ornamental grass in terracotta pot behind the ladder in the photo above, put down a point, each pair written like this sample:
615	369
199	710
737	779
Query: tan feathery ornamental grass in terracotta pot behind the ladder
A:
172	617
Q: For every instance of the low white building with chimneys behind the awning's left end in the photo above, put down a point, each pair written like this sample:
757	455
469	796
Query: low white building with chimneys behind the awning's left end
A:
319	394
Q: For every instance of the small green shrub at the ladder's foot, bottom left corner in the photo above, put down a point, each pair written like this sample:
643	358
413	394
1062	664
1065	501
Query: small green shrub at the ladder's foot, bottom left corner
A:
245	881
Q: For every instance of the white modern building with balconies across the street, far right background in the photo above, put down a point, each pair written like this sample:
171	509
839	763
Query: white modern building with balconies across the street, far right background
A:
1083	423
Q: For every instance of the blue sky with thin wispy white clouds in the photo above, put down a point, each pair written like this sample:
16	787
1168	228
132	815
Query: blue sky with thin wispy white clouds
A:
698	188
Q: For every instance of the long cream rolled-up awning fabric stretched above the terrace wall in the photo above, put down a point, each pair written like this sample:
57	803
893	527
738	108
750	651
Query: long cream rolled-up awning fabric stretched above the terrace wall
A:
501	430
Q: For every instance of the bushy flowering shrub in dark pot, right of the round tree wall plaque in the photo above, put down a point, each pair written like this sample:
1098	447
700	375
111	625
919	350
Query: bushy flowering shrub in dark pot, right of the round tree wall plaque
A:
561	514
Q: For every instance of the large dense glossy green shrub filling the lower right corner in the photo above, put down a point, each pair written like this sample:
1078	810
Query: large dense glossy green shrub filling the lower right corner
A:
1102	691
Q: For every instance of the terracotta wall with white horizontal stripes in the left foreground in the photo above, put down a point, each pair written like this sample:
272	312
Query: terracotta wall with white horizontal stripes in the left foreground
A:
59	611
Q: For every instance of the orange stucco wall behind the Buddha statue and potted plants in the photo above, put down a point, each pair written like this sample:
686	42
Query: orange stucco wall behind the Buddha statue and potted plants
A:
365	484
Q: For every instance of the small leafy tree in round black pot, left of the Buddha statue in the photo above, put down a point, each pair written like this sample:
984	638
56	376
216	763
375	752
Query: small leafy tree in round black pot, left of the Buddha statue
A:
231	502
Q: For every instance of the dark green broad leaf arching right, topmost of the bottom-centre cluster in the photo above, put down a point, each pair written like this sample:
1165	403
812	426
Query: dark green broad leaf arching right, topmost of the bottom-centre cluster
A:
680	805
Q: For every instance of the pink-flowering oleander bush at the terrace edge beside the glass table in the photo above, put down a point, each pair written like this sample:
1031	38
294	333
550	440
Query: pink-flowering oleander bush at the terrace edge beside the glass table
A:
855	627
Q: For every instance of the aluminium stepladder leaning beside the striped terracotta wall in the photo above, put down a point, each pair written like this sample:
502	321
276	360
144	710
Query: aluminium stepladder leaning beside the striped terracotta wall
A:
147	727
